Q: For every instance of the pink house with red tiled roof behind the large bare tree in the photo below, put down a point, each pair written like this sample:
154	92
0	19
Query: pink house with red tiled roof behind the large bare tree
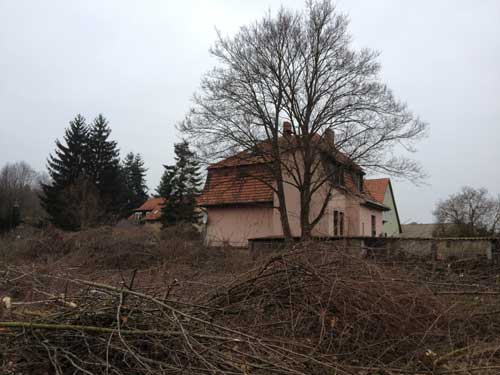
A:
241	205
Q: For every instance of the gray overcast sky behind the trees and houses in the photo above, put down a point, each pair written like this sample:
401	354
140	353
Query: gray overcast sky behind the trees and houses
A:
139	62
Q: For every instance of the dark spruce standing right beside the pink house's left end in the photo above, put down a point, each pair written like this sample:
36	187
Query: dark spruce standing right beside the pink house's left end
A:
180	187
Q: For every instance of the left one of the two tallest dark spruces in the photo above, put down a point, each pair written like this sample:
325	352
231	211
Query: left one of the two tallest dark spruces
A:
66	166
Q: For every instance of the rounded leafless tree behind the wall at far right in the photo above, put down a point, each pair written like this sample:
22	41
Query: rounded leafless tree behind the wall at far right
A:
471	212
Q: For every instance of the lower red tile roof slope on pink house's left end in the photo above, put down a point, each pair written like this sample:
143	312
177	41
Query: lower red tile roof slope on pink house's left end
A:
238	185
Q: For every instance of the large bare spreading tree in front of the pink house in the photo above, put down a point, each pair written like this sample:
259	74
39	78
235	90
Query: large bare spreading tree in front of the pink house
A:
301	67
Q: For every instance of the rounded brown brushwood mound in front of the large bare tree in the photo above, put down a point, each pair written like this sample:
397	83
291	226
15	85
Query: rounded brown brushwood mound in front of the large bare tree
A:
338	303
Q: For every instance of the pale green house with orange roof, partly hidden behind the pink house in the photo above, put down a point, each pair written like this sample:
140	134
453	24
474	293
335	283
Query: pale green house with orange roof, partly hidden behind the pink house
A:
381	190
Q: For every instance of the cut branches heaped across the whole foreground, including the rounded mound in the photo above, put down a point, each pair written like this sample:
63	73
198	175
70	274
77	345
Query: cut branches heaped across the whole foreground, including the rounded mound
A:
311	310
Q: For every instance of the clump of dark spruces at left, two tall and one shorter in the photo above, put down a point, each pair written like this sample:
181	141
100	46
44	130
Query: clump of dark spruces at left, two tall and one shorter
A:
89	185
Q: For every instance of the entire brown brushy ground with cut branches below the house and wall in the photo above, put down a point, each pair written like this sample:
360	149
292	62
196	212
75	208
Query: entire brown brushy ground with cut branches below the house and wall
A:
134	301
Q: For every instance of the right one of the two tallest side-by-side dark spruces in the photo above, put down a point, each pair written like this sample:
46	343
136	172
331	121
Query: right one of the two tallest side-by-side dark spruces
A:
103	166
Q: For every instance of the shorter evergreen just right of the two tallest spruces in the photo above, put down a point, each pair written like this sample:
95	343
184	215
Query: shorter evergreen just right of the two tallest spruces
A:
134	174
